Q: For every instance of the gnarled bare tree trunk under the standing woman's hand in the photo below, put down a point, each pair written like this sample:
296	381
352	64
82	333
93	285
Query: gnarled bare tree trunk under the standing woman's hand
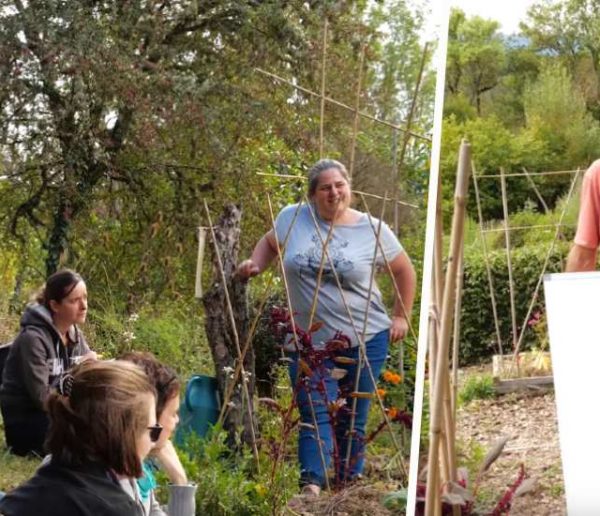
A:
219	331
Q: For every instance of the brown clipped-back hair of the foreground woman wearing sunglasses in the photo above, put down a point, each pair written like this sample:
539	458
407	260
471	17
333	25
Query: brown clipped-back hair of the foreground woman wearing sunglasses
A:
102	416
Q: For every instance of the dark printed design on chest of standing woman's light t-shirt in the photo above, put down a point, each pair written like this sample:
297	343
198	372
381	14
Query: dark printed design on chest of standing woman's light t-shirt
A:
309	262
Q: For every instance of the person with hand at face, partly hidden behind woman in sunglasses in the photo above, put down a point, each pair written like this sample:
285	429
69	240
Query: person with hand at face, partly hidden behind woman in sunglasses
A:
181	493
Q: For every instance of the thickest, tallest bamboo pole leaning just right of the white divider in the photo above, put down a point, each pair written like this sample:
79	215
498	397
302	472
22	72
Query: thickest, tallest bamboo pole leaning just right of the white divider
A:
437	411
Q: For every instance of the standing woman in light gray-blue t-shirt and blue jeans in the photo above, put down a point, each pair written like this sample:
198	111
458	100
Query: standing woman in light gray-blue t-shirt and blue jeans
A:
351	251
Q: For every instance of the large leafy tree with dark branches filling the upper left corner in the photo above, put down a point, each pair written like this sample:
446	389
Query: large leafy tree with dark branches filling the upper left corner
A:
86	85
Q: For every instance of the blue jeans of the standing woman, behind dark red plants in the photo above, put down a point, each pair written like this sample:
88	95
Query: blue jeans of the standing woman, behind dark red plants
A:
334	427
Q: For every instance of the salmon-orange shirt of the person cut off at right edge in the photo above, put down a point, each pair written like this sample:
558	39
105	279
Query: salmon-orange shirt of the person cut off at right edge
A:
588	226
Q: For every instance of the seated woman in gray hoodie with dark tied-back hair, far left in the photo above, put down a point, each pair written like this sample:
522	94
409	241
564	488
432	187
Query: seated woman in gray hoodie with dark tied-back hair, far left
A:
48	344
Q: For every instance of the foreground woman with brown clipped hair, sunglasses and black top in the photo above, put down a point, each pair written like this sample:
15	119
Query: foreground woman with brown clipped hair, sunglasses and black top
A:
102	426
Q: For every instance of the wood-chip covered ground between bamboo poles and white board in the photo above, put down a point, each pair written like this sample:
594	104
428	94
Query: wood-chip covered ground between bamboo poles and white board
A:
530	420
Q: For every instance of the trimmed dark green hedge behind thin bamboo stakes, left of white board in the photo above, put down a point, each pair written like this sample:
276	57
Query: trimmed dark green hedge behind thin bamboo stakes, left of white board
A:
478	335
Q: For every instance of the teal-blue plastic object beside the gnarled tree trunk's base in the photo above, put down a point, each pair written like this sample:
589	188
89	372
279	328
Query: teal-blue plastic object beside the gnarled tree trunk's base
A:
199	408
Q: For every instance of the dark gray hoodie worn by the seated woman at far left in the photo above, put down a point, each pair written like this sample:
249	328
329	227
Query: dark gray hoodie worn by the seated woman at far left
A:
36	359
